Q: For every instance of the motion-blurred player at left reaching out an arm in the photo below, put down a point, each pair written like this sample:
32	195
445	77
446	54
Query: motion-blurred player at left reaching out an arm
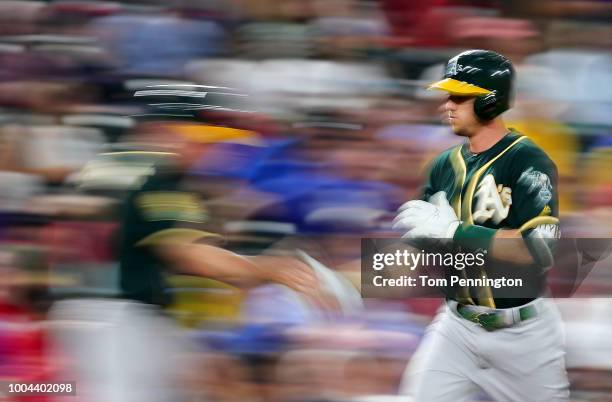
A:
124	349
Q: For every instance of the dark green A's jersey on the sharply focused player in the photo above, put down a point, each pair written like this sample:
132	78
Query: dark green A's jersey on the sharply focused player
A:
512	185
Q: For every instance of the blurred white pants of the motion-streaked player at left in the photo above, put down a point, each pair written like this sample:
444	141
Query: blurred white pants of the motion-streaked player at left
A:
117	351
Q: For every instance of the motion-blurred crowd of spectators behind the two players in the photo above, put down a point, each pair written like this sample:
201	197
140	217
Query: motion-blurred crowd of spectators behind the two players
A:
315	126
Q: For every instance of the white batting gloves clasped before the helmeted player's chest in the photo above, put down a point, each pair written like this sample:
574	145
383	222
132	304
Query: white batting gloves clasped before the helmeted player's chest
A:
434	219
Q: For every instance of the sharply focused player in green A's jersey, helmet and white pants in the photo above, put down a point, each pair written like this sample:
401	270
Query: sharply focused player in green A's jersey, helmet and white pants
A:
497	185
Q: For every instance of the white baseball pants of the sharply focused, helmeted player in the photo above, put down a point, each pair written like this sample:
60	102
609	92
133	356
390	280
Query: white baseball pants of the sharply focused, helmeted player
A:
457	359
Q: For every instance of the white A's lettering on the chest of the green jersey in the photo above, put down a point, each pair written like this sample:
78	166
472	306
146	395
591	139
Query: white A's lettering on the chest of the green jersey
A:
492	201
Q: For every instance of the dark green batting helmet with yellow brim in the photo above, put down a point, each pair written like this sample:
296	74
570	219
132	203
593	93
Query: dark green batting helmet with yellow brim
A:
482	73
